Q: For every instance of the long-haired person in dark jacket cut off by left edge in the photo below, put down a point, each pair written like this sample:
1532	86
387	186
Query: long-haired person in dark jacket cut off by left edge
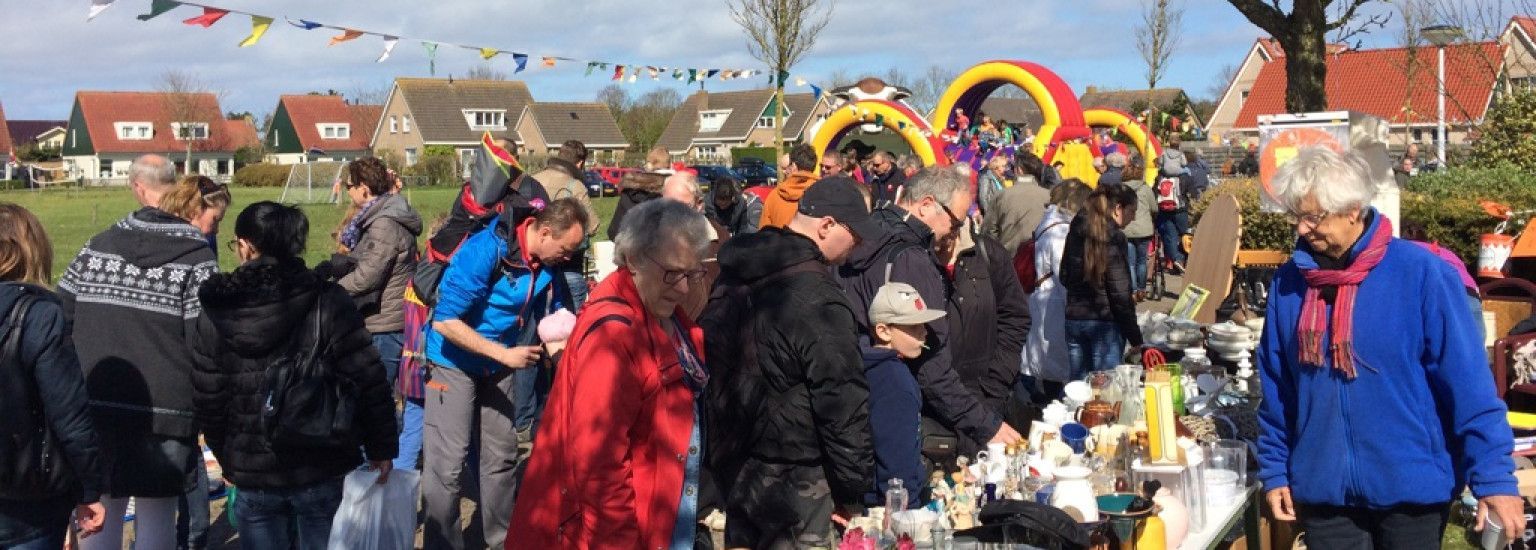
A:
42	393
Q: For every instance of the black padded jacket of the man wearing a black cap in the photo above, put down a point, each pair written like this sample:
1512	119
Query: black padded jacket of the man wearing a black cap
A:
807	402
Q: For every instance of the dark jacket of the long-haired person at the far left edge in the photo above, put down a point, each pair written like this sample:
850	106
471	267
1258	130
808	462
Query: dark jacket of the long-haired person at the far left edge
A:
53	369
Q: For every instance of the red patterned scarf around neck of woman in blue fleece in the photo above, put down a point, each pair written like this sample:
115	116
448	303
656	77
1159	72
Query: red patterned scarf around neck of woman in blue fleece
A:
1314	310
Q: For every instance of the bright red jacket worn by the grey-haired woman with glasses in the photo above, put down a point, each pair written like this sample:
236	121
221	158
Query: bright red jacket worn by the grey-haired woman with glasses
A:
609	468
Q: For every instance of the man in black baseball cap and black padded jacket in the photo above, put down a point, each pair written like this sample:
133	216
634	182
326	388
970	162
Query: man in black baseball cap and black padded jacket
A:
789	403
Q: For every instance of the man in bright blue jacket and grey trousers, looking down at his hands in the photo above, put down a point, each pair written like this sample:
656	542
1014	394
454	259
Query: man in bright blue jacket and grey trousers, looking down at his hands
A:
492	296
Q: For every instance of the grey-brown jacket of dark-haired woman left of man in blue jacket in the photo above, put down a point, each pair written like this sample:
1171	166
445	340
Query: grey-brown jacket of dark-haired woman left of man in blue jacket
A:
386	254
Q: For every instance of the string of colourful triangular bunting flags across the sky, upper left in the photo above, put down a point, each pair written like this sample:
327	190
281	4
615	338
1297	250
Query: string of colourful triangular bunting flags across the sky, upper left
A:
262	24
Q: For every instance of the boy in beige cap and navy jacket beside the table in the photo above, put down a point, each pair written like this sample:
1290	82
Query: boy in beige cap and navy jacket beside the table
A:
901	326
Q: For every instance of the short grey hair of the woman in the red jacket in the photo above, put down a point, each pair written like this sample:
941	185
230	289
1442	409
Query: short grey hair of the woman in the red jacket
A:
657	225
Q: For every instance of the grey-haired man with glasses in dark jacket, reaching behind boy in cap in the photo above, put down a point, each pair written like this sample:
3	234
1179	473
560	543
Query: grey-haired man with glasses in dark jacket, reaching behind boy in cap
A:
930	210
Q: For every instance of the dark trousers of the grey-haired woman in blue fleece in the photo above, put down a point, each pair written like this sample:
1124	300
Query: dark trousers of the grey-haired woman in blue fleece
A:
1405	528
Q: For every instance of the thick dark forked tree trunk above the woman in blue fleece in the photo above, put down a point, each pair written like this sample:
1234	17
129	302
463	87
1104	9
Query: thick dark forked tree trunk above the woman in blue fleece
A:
1303	35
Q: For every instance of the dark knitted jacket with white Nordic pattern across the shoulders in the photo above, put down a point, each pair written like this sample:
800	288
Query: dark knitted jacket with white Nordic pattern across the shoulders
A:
131	300
